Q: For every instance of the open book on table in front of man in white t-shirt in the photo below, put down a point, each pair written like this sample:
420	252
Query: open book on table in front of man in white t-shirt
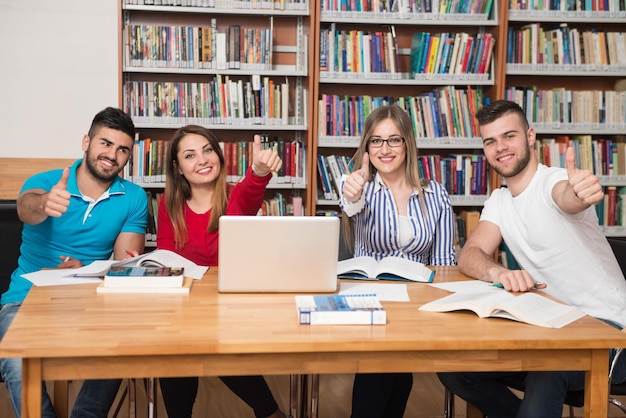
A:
531	308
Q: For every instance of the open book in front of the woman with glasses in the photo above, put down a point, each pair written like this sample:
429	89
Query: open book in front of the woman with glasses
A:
389	268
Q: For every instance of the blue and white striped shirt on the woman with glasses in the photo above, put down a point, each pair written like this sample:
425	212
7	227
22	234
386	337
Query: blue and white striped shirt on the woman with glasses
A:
377	227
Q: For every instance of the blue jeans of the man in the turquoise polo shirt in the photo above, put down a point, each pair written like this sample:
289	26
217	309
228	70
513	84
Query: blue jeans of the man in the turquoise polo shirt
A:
94	399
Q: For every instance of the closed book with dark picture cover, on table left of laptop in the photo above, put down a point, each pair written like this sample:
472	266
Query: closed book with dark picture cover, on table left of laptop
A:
118	276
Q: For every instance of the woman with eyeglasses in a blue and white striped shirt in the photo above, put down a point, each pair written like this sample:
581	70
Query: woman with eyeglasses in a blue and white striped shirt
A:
389	210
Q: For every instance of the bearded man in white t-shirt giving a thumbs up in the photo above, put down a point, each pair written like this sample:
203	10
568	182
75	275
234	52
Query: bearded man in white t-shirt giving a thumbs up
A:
547	218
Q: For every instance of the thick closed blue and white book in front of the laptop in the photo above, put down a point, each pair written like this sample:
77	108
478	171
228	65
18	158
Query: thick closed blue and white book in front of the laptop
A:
360	309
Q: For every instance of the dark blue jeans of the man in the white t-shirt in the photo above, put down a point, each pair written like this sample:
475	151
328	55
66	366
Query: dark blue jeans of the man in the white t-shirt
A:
544	392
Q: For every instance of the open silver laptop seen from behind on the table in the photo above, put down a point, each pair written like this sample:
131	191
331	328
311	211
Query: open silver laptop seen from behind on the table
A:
278	254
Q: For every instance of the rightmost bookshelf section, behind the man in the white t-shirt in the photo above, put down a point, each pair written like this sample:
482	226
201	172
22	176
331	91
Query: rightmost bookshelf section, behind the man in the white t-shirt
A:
566	65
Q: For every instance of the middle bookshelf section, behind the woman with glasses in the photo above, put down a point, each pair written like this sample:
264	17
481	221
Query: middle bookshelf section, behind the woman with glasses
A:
368	57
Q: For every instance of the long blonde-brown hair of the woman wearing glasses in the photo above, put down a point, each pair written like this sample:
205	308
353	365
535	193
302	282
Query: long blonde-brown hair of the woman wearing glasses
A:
411	167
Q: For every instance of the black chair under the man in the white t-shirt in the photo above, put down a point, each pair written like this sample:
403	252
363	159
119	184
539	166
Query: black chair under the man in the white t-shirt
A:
576	398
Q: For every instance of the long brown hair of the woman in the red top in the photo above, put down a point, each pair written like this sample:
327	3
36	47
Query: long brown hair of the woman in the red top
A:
178	190
